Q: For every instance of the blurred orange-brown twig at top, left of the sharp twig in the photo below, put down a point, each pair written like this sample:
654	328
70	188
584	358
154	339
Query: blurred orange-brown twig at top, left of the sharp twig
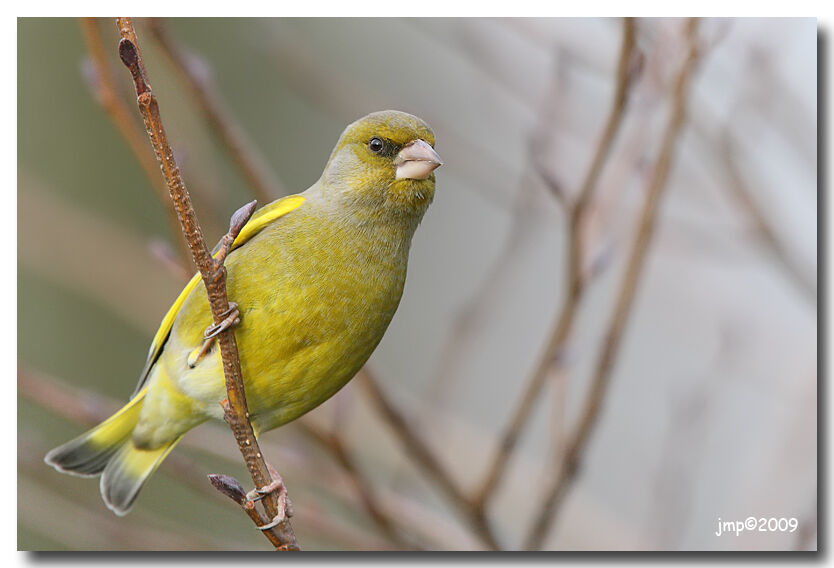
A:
104	85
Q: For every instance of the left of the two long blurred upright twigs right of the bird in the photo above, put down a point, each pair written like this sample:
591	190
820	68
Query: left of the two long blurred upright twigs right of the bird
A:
575	277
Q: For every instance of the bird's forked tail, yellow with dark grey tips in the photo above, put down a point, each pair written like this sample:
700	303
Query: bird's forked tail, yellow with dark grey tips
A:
109	450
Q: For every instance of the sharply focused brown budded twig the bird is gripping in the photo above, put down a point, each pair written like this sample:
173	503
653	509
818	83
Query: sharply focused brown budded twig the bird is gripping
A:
214	277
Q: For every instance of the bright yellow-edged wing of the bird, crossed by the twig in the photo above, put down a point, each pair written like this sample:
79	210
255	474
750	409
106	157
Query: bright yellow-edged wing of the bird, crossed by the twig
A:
259	220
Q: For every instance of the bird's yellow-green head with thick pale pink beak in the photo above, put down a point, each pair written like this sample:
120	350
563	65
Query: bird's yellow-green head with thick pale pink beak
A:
385	161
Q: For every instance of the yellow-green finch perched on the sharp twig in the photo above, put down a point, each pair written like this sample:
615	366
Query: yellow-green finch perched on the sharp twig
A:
316	278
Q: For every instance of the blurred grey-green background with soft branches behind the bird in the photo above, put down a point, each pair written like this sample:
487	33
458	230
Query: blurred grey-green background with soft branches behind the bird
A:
708	408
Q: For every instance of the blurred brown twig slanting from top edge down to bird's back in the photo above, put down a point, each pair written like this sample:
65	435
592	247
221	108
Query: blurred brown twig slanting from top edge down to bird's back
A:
248	160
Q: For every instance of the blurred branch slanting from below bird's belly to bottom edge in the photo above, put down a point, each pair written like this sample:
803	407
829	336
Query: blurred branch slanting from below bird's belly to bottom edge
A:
425	458
